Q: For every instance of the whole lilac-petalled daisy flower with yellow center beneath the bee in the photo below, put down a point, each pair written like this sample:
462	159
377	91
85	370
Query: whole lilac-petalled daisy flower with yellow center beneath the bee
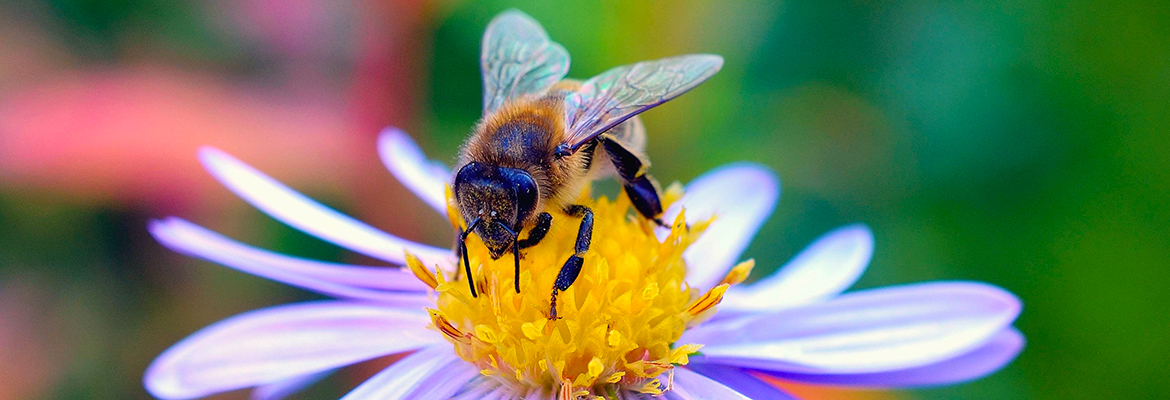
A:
656	313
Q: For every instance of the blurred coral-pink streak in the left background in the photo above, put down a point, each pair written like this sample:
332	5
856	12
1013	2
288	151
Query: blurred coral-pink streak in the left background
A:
133	134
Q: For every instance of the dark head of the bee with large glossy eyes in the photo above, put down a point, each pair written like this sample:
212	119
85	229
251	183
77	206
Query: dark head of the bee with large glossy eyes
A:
501	198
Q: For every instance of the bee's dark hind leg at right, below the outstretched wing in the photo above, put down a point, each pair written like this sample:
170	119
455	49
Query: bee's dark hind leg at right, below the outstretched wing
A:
642	190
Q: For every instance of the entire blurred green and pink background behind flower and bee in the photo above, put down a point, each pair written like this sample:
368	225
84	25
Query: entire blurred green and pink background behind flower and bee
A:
1018	143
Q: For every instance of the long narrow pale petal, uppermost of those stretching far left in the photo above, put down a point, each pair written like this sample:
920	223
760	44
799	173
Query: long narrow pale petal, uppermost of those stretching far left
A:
311	217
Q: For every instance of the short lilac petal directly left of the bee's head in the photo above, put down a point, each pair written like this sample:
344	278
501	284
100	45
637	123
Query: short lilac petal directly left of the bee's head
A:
407	162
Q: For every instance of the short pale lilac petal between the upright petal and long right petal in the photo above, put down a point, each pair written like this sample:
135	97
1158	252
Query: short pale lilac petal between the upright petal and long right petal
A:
824	270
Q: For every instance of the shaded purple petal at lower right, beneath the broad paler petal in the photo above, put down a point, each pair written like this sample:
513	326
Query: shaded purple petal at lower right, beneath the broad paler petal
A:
1001	350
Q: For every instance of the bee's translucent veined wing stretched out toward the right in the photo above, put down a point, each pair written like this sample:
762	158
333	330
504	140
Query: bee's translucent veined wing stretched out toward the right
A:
622	93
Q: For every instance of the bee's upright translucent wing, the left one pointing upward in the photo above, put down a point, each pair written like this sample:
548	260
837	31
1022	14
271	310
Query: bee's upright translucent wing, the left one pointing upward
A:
519	59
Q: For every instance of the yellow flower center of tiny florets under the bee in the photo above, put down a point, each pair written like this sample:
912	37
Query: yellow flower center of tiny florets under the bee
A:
616	327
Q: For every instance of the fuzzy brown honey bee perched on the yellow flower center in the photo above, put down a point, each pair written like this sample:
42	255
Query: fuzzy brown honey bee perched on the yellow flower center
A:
542	139
